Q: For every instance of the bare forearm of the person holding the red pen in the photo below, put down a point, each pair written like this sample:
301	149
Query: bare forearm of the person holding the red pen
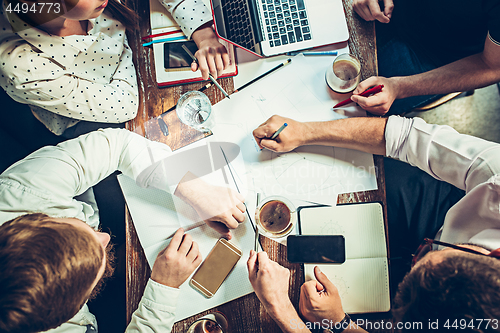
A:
462	75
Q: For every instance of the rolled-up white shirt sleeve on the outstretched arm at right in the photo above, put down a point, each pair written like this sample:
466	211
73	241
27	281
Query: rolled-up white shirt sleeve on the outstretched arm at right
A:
462	160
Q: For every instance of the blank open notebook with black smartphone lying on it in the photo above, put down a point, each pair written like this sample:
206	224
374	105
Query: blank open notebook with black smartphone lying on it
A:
363	279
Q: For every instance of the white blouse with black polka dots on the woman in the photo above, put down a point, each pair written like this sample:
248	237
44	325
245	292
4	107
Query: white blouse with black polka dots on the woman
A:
73	78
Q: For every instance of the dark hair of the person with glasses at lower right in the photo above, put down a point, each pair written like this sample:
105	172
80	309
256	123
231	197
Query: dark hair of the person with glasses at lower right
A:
461	286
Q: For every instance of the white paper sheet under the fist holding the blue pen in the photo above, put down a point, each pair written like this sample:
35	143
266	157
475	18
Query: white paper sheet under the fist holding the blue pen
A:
313	173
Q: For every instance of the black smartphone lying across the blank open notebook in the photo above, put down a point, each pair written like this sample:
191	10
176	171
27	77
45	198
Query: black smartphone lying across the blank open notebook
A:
320	249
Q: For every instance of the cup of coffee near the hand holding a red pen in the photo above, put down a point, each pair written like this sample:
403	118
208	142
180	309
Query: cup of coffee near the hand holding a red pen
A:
344	74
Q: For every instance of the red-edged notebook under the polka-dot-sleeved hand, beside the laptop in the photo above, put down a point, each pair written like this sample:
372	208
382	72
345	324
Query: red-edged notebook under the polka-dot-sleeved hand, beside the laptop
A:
162	21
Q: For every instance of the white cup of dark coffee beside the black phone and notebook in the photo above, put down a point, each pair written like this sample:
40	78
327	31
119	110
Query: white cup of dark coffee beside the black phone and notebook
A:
275	216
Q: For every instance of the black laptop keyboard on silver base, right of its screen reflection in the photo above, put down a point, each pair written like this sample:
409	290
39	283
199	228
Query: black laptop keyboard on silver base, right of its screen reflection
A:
286	22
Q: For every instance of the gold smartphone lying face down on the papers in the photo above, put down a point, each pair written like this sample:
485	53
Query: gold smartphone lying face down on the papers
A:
216	267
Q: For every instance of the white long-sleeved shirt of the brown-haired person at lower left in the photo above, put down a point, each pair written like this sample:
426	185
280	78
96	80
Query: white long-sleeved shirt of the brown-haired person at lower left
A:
48	180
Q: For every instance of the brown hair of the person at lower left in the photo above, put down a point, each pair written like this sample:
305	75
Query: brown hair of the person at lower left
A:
47	272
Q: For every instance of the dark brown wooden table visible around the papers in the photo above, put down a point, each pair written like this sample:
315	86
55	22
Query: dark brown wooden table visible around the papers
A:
245	314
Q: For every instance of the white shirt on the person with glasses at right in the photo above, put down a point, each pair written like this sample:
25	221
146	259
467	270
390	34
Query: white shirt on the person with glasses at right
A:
467	162
